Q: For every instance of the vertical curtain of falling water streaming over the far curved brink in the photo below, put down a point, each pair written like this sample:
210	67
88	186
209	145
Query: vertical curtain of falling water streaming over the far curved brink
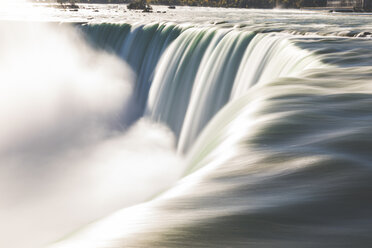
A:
187	74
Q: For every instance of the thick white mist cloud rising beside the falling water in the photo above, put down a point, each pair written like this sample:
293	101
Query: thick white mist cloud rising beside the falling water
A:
65	157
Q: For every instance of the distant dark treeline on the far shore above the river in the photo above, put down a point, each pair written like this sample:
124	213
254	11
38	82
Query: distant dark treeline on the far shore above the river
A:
219	3
